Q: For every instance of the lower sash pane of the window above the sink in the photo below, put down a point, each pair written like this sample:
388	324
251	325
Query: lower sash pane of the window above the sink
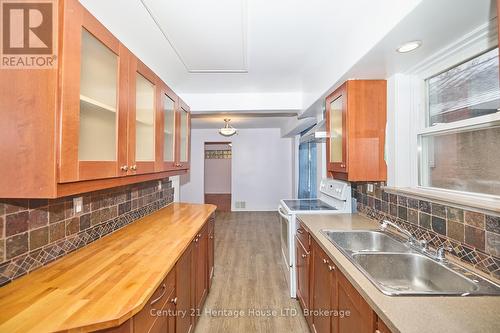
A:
466	160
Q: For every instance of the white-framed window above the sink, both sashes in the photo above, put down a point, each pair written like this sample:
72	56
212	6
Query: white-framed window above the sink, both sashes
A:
459	147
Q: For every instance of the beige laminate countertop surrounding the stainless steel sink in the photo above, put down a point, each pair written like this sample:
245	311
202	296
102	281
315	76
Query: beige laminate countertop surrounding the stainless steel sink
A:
407	314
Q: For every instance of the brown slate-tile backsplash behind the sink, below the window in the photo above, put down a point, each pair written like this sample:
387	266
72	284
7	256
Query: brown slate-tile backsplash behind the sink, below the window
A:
474	236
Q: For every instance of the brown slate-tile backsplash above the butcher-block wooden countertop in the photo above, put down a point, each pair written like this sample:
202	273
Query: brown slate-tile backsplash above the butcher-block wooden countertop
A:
35	232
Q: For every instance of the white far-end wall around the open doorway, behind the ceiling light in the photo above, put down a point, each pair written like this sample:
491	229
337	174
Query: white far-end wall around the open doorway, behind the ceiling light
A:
261	167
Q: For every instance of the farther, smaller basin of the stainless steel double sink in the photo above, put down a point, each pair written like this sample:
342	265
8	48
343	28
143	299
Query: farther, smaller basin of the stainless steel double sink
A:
365	240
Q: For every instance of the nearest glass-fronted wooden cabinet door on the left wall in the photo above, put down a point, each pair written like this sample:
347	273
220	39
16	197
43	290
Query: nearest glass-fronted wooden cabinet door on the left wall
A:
94	99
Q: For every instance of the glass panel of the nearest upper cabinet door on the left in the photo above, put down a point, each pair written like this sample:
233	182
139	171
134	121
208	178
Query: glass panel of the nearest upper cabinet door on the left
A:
98	101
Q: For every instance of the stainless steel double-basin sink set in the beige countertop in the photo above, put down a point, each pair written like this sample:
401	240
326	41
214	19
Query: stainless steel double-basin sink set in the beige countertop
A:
397	268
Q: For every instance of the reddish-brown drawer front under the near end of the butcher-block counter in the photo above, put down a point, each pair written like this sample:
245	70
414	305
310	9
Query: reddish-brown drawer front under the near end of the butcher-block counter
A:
144	320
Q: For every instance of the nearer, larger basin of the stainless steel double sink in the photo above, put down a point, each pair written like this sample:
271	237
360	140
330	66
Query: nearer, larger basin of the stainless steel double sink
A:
412	273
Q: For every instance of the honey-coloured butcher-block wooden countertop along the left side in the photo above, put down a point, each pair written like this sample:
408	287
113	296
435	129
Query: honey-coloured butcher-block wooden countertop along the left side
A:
105	283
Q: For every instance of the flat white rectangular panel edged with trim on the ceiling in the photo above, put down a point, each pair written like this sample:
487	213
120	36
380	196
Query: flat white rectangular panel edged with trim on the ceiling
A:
208	36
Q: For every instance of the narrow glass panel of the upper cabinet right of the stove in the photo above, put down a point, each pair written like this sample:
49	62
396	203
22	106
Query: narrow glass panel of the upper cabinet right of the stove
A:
336	131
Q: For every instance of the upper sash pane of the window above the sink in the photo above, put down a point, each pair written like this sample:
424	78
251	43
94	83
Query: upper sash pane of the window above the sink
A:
465	91
